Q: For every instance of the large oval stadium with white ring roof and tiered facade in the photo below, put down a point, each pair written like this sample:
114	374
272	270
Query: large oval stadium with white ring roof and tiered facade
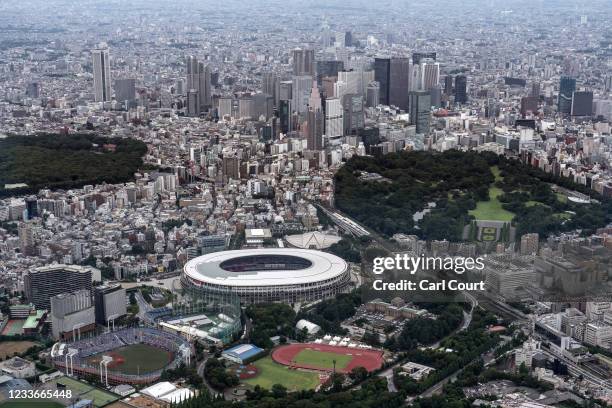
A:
268	275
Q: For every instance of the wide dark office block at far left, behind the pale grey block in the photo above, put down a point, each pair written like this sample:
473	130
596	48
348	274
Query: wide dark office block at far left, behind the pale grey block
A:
40	284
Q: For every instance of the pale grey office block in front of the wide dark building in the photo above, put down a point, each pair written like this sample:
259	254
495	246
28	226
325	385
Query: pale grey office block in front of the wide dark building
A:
72	314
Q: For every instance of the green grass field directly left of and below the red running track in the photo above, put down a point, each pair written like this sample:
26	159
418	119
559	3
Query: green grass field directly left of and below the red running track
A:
271	373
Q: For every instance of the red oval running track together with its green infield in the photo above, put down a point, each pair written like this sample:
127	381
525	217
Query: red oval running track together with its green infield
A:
320	357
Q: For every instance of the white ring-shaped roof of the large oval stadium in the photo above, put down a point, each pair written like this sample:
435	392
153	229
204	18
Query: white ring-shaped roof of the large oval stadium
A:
316	266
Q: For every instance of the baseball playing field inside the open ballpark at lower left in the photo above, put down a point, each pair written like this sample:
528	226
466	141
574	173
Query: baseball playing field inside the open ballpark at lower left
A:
136	359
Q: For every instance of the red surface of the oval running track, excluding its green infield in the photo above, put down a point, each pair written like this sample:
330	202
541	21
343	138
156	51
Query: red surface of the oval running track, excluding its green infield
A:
368	359
